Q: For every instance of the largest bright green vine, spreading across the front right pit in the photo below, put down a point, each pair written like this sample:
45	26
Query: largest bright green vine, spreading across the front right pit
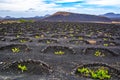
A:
100	73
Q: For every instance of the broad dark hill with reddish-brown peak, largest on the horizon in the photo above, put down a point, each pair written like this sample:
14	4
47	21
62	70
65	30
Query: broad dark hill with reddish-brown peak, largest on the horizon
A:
75	17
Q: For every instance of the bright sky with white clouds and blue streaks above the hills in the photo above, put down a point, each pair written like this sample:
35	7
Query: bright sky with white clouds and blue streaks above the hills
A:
30	8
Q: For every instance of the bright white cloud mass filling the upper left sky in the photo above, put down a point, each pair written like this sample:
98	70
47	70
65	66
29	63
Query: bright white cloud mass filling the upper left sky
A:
23	5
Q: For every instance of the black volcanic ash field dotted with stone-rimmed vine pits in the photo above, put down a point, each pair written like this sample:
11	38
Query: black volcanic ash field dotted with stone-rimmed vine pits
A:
59	51
